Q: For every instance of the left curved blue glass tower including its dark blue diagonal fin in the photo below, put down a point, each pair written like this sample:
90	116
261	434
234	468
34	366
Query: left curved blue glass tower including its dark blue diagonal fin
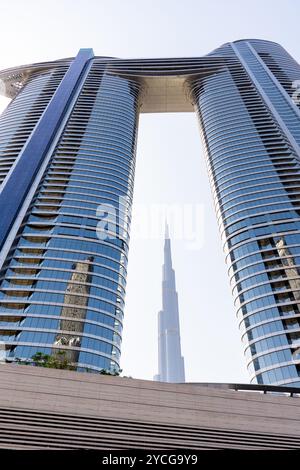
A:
68	145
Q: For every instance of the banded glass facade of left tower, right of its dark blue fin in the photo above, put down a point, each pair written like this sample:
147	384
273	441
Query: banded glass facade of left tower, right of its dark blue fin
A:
62	288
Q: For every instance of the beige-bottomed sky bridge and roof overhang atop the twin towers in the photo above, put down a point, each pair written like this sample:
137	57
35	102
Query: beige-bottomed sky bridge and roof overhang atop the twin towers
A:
164	80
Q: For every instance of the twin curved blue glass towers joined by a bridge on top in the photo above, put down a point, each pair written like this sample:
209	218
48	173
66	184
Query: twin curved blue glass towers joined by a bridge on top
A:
67	143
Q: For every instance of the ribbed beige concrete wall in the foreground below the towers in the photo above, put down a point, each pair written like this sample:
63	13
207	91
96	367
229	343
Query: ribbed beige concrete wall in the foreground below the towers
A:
64	409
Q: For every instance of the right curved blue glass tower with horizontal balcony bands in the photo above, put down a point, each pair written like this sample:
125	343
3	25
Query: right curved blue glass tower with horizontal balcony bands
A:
251	128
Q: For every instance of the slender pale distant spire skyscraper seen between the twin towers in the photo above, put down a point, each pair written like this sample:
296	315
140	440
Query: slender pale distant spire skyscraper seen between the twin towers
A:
170	360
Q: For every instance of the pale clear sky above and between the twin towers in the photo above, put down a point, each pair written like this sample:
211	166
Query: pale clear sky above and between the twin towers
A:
170	161
